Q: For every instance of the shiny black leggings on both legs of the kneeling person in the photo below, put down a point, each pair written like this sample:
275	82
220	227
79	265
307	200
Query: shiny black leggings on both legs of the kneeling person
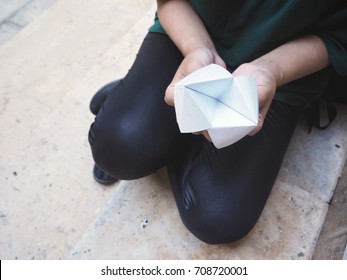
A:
220	193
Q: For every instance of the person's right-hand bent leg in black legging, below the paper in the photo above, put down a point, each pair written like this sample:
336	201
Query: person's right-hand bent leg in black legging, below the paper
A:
221	193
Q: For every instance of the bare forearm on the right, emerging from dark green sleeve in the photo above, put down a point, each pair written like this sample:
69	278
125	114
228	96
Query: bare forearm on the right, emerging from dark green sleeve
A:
295	59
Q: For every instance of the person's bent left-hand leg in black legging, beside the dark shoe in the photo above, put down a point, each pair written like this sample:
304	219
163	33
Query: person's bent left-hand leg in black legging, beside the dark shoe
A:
135	130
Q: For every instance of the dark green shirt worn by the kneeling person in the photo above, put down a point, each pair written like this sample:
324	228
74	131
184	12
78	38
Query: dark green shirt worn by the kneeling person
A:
243	30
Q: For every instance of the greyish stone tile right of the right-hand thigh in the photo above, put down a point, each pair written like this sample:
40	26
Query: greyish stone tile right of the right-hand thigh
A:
317	154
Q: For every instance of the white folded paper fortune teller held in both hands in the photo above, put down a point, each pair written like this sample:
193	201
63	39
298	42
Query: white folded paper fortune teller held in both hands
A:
212	99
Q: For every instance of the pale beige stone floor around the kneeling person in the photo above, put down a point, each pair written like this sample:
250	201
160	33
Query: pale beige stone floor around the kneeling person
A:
50	207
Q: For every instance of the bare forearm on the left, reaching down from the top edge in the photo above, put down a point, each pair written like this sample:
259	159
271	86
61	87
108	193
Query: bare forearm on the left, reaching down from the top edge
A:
183	26
